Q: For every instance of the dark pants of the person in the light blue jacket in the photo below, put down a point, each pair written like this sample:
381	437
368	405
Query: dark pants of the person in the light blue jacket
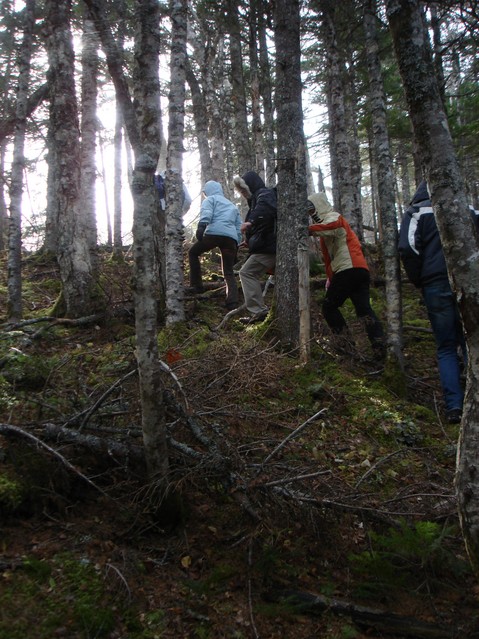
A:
228	248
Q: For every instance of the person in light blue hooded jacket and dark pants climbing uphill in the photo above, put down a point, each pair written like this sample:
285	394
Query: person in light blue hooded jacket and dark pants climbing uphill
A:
219	226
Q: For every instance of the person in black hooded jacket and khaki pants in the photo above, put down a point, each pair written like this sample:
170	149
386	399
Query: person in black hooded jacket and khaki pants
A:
259	229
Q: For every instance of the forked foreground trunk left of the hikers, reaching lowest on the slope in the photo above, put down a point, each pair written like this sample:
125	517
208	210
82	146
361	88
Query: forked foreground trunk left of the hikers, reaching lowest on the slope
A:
144	132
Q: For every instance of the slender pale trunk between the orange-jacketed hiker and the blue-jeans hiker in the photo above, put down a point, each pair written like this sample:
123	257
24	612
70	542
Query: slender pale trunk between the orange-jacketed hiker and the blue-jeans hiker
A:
386	187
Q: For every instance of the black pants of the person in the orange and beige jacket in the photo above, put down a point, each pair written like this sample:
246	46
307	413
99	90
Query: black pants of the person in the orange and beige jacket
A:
353	283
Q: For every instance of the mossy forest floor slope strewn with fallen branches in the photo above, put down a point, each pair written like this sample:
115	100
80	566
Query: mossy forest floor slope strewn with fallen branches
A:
307	500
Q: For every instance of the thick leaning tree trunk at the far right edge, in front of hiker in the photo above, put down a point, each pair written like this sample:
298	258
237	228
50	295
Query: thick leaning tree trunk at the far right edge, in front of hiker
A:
458	236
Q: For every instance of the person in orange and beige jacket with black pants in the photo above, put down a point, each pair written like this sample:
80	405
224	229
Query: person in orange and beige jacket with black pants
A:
347	272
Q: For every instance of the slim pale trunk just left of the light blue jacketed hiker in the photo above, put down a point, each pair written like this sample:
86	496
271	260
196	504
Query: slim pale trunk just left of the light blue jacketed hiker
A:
174	193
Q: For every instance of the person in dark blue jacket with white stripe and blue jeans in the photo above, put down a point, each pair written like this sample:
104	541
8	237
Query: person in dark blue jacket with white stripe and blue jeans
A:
423	260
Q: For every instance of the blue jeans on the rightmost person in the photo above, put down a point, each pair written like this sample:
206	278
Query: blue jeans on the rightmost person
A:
447	328
